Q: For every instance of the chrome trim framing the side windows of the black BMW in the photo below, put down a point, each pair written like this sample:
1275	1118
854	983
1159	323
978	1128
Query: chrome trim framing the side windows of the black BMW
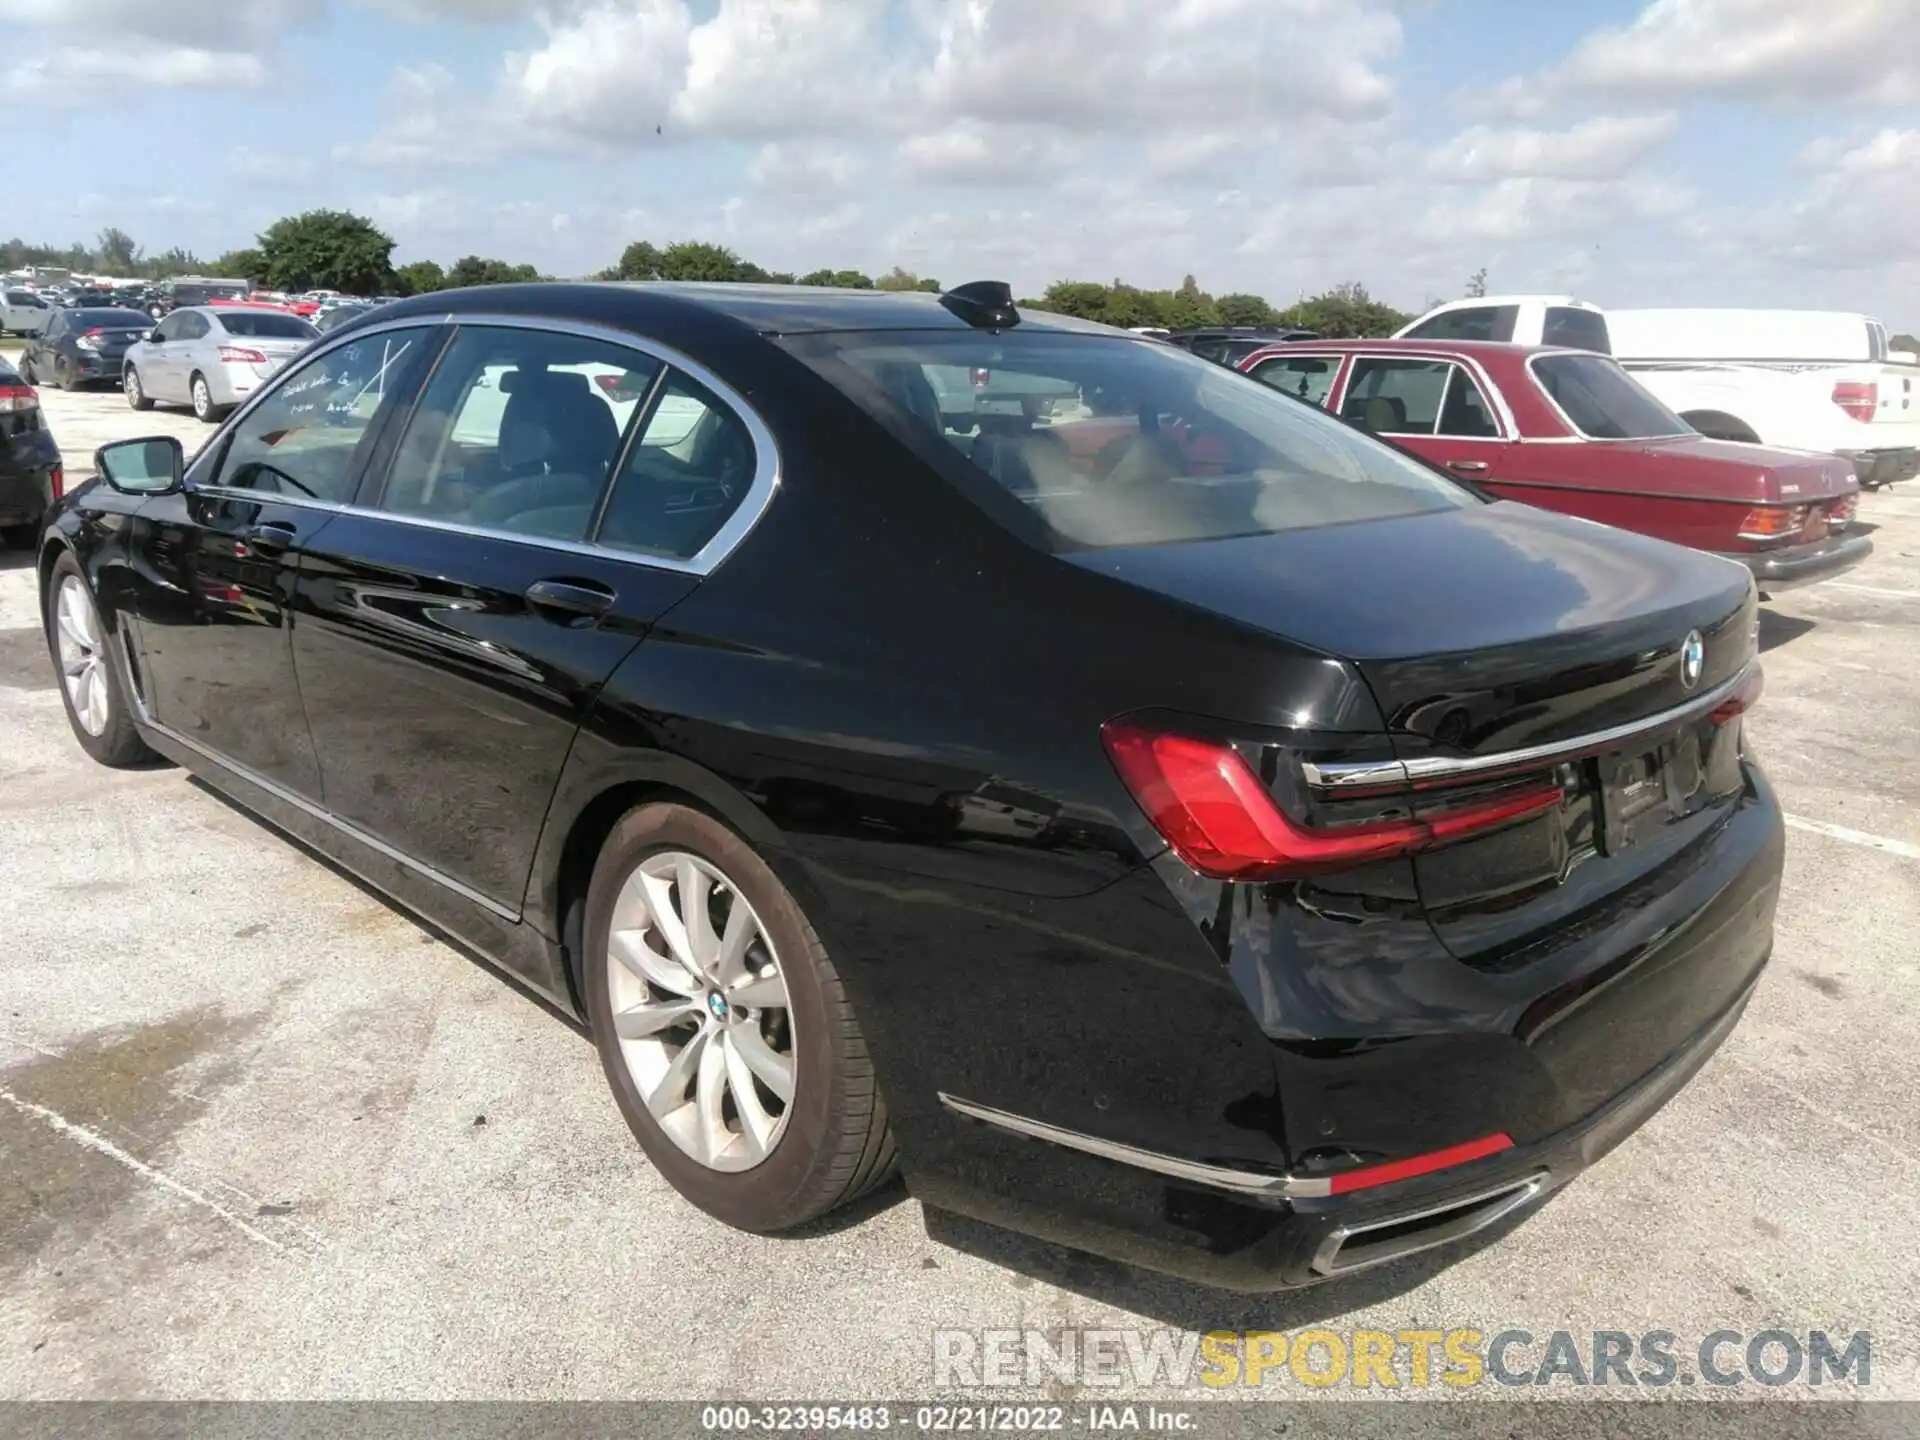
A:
761	491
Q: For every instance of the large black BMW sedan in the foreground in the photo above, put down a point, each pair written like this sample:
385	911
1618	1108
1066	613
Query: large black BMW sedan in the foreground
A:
917	734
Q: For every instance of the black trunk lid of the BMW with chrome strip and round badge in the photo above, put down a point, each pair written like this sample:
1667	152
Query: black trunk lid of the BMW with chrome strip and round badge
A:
1497	631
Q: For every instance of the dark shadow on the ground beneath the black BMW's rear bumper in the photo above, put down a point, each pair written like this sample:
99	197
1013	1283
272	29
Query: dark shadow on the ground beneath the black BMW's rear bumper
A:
1188	1305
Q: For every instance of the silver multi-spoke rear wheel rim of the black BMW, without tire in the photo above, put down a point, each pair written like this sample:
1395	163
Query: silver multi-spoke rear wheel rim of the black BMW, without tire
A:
702	1011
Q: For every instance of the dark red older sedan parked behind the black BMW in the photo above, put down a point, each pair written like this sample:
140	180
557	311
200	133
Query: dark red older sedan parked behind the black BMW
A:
1572	431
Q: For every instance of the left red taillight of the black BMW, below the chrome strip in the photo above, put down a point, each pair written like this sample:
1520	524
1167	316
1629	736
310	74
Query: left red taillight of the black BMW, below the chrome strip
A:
1216	815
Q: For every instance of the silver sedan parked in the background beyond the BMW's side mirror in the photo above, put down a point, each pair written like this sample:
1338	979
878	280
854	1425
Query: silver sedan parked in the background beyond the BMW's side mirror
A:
212	356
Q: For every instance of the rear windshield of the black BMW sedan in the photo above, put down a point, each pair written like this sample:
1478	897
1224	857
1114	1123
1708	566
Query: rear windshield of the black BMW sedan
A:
1090	443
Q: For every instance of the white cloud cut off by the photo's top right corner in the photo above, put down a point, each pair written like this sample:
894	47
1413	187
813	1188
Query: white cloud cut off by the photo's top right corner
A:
1819	53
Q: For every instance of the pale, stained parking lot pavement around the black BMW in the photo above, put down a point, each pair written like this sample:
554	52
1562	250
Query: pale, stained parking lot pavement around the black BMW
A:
266	1138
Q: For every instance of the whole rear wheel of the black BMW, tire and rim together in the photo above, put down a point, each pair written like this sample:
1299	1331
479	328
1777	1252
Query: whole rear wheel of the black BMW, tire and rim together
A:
830	1141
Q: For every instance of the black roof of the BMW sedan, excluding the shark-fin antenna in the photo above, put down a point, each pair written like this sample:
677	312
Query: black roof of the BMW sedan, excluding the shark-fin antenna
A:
763	308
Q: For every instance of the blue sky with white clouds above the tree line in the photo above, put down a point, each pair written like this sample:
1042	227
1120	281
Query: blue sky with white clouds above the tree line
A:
1627	151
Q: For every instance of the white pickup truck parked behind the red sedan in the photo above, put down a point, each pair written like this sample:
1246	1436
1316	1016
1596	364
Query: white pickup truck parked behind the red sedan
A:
1781	377
